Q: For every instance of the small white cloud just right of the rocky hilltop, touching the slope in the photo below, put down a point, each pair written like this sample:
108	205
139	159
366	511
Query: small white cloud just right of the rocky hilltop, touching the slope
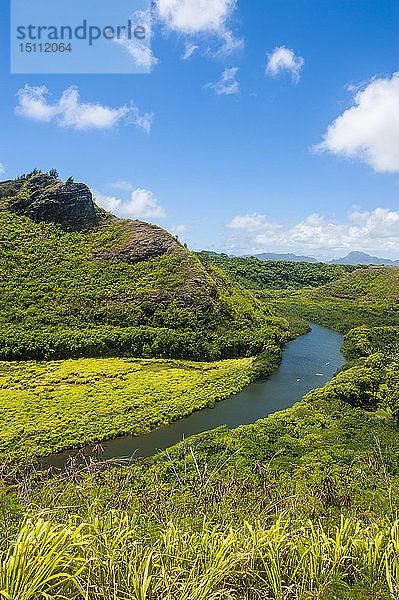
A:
142	204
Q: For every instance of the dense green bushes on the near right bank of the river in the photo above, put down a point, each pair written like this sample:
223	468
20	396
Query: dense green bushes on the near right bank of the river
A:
328	430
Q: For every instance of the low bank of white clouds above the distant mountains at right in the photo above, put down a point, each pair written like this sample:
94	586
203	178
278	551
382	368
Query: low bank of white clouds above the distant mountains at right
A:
368	231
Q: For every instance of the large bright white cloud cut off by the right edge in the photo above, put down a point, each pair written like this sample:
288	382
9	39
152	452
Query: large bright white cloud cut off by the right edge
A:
369	130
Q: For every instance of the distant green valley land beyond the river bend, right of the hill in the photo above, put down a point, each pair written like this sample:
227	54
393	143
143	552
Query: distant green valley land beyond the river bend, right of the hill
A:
344	296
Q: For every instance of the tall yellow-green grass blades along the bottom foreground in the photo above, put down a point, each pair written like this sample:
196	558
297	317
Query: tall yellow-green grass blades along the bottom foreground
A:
107	558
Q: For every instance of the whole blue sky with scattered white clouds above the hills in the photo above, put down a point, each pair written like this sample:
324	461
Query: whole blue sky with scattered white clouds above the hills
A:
230	162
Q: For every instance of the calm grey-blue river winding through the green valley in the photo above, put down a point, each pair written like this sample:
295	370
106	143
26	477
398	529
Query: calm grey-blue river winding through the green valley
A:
308	362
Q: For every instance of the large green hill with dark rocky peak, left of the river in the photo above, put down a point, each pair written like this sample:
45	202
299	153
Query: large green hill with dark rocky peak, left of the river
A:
77	281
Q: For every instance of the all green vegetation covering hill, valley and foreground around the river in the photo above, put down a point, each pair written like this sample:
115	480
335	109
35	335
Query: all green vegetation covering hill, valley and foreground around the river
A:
302	505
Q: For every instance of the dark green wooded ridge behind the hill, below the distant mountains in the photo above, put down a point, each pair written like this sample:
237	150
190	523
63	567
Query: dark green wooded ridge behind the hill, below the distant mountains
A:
257	274
